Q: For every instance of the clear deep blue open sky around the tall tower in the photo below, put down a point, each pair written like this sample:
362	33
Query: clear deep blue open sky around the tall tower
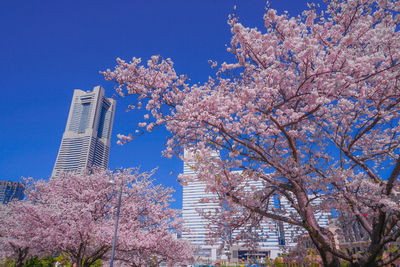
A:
49	48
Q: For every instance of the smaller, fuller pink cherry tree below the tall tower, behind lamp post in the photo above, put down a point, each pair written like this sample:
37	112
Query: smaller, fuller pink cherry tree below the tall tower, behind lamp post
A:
74	214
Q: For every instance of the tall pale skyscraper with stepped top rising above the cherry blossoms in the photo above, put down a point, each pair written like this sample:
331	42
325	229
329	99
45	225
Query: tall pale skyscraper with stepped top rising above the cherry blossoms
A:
86	140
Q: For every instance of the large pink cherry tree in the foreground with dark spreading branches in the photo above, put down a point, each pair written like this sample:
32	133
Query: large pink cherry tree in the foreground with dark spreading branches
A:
309	108
